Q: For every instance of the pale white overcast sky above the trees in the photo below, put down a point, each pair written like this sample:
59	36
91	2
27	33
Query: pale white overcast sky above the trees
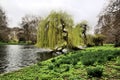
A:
79	9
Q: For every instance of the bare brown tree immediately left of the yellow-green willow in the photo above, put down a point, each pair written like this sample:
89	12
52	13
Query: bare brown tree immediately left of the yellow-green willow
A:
30	25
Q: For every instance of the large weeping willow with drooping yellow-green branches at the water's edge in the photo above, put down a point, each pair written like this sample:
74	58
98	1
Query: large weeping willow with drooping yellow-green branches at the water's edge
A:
57	30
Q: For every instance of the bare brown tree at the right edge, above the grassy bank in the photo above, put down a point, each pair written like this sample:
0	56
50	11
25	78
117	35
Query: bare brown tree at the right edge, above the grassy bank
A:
109	22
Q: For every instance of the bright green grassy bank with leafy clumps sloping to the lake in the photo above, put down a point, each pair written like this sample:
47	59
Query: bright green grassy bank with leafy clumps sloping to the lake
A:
92	63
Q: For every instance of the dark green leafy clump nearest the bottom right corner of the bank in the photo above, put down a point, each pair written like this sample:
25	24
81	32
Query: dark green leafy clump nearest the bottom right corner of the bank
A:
95	71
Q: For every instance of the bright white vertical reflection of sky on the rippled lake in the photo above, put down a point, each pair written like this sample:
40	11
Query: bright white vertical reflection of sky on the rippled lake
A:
14	55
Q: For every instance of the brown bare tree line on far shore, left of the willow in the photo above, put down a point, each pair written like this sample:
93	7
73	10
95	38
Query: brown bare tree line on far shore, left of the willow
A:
26	33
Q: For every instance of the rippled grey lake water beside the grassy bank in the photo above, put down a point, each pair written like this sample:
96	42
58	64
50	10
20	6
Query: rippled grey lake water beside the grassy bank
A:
14	57
